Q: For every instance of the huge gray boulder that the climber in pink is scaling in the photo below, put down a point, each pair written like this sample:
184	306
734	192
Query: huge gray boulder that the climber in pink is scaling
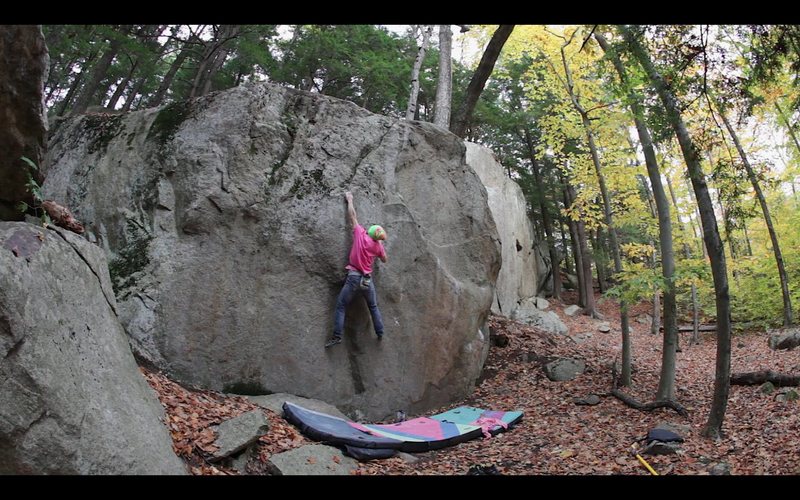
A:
225	224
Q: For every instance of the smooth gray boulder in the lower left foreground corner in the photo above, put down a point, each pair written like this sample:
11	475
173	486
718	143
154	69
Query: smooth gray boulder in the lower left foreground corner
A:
72	400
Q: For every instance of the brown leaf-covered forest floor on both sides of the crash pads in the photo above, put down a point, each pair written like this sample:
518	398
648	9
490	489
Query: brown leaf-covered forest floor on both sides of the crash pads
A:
556	436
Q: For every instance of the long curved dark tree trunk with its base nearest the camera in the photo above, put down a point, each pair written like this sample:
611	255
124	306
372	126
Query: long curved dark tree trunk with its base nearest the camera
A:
714	246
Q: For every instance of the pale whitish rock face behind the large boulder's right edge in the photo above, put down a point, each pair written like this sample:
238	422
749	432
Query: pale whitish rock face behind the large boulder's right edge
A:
518	278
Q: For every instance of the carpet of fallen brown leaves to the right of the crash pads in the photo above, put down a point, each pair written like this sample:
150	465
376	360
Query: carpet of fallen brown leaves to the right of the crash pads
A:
597	439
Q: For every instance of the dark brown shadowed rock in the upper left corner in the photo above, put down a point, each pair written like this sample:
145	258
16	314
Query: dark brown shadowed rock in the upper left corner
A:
23	68
